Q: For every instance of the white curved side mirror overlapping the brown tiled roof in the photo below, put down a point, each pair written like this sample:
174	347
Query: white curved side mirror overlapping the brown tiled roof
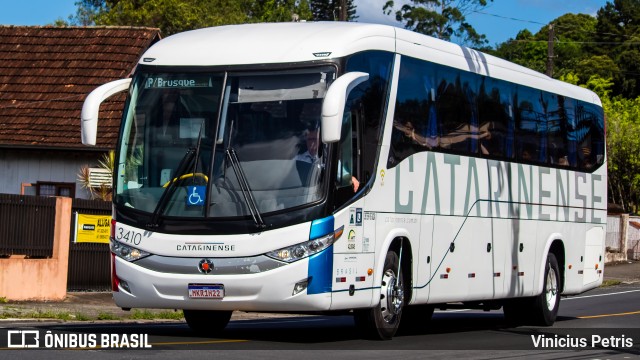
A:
91	107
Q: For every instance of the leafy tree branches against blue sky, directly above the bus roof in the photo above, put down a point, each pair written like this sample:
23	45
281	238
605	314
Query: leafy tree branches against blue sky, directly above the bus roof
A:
444	19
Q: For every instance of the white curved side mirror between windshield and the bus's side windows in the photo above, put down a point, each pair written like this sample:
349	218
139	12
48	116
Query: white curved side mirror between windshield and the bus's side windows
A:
333	104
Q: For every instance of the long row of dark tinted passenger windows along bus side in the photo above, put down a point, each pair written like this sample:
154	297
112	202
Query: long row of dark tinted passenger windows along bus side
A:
439	108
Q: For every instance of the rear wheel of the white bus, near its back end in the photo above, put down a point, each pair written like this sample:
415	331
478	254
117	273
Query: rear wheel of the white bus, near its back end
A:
546	304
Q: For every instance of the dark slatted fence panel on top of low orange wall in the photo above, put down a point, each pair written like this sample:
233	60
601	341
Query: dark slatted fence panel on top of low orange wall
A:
27	225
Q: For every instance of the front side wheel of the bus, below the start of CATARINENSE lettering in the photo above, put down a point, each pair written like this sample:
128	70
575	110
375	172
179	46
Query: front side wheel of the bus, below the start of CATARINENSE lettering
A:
381	321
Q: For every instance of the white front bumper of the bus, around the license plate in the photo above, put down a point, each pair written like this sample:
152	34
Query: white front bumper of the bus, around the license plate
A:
265	291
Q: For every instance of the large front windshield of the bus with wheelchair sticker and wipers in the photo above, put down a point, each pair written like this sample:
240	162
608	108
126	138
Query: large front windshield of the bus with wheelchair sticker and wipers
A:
222	144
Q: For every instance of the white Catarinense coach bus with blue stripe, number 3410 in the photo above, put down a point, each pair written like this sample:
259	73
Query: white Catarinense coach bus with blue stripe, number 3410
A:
346	167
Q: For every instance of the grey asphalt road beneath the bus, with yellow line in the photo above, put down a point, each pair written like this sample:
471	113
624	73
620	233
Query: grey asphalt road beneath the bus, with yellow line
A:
602	323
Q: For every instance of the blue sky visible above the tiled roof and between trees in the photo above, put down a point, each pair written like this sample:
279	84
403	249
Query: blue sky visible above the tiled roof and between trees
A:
500	21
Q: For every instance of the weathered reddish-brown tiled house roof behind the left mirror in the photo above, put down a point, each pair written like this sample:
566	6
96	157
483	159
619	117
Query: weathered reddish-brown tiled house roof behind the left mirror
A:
46	73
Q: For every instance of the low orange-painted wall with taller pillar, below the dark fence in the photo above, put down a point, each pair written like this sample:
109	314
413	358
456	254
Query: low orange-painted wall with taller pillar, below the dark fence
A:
40	279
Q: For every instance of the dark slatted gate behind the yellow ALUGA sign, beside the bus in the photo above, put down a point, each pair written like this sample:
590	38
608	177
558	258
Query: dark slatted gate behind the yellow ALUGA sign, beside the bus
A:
89	267
